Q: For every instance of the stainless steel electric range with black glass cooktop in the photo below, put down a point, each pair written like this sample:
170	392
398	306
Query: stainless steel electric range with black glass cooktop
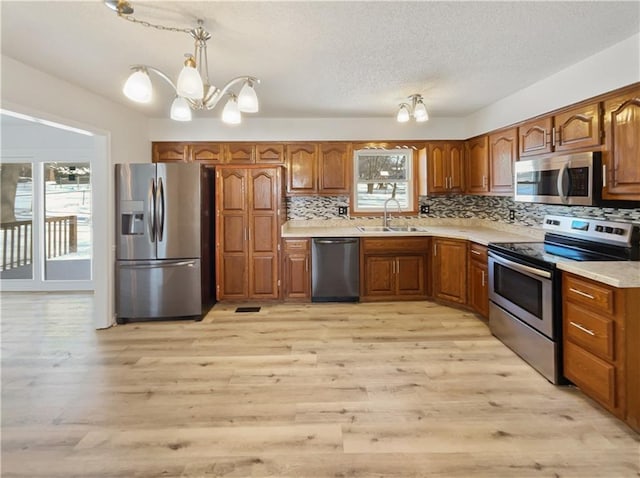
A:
525	309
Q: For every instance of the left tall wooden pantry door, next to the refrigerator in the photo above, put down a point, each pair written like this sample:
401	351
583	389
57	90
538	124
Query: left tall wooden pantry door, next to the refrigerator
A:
232	234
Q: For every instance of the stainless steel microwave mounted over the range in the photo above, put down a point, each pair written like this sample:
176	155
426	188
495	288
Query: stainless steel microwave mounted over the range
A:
572	180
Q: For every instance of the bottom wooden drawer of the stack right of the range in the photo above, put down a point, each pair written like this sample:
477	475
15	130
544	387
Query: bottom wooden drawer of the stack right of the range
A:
593	375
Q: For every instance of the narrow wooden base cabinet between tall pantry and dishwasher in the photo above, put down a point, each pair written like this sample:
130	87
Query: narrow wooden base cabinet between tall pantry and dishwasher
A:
297	269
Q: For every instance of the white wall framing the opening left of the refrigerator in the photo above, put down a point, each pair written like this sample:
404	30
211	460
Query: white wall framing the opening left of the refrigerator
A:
122	137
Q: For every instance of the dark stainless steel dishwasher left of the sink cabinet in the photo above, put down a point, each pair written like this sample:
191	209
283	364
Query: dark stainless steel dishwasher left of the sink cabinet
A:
335	271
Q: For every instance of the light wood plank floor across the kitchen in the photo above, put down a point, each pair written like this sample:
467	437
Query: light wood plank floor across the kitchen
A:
326	390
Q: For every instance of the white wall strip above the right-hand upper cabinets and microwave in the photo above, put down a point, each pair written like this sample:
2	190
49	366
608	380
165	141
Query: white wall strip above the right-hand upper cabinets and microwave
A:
605	71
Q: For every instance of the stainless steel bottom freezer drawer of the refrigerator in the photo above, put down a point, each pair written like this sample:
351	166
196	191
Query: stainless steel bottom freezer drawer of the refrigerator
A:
157	289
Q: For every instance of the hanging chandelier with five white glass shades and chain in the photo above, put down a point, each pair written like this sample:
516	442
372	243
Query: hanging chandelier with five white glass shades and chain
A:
193	90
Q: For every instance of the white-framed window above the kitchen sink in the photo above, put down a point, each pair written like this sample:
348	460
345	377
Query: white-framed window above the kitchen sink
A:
381	174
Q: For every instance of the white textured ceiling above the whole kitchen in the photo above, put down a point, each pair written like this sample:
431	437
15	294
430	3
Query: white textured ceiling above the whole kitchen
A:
323	59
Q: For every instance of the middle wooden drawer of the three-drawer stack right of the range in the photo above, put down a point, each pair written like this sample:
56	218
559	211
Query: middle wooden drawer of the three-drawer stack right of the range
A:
589	330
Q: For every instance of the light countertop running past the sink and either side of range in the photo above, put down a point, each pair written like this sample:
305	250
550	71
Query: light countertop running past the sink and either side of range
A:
616	274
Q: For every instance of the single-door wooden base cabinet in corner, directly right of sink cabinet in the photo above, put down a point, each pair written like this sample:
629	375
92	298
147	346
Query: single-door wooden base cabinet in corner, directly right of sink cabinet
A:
449	261
